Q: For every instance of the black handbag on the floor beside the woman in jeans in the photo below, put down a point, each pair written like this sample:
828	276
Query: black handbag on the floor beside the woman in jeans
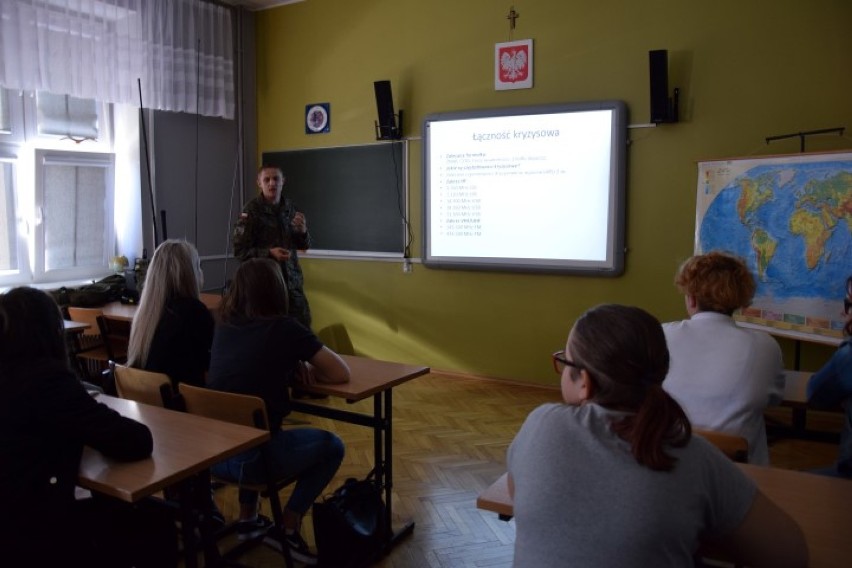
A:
349	524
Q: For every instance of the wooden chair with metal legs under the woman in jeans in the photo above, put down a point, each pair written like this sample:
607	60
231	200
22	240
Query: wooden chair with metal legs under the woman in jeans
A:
248	411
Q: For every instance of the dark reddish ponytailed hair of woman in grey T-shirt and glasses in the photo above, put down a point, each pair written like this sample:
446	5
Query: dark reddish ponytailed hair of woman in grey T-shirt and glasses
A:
624	350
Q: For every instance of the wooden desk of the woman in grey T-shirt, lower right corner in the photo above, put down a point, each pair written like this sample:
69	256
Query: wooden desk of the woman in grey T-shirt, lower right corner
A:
821	505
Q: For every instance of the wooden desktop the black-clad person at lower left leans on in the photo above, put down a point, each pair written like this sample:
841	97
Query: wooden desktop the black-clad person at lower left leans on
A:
184	444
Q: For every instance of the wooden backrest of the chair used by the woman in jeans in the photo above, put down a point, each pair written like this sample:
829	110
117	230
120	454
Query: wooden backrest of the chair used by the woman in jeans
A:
226	406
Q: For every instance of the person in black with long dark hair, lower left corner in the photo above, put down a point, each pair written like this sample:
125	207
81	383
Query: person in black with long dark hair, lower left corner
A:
46	417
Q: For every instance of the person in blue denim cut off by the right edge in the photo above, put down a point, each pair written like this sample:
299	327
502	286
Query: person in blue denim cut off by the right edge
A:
832	385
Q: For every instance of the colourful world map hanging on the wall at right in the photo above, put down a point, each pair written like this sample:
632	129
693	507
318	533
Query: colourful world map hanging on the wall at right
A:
790	218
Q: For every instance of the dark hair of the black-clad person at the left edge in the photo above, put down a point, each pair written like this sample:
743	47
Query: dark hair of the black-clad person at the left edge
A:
31	328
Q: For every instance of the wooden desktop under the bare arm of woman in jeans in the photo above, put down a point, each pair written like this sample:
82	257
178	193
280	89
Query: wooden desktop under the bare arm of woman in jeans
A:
368	377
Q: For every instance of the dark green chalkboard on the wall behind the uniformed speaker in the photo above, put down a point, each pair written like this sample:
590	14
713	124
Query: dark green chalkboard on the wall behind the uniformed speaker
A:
353	196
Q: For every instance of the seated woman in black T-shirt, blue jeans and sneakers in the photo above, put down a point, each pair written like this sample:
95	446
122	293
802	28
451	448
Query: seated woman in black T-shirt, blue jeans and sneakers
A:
257	350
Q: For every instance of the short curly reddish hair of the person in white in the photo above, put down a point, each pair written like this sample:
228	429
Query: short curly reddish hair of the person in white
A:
719	282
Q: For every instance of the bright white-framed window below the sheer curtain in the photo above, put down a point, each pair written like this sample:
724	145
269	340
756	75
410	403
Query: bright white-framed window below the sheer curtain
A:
57	176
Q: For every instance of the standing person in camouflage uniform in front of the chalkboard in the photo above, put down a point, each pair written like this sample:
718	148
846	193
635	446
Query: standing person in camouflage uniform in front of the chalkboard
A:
271	227
